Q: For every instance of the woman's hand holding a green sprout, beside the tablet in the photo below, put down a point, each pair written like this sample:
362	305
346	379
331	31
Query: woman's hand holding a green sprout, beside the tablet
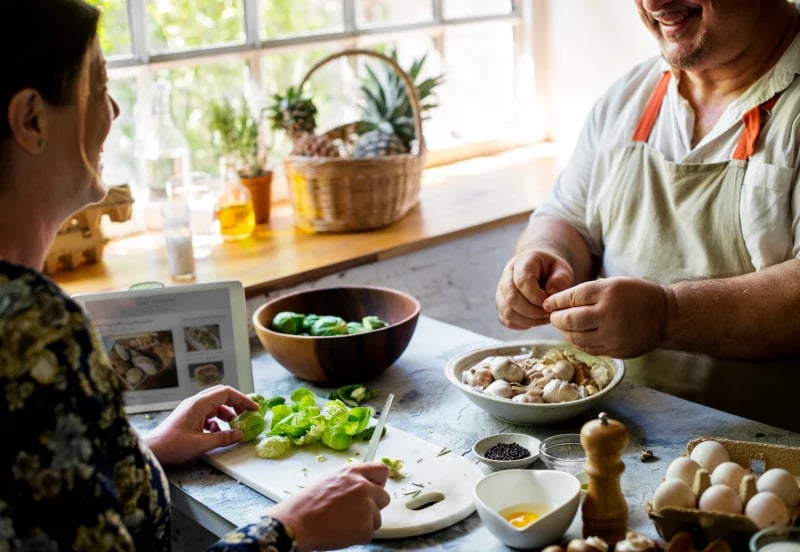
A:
192	429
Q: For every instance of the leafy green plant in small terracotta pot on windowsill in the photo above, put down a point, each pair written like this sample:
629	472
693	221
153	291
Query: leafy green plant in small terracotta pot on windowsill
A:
237	135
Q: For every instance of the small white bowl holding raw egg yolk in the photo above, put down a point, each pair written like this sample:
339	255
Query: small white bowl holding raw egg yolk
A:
554	494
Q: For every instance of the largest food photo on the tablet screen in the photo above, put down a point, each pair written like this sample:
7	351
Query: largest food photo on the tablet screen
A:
144	360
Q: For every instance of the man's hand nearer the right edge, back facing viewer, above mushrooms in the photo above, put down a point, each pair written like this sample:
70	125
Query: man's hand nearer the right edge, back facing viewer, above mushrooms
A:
618	317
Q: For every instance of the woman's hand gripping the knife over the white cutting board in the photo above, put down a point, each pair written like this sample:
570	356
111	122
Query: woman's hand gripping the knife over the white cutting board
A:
339	511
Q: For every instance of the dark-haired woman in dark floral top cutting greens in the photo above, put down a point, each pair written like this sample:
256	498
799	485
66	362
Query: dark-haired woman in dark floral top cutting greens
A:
73	473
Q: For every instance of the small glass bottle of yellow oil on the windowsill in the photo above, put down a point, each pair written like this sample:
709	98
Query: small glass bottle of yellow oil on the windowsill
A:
234	208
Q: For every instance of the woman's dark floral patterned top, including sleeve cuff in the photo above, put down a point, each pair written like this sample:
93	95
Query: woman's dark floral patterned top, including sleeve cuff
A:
73	473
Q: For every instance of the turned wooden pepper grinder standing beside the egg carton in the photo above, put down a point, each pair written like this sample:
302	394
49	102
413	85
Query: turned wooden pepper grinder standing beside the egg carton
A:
604	510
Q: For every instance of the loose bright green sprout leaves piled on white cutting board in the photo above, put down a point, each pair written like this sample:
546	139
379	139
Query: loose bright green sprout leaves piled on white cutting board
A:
301	422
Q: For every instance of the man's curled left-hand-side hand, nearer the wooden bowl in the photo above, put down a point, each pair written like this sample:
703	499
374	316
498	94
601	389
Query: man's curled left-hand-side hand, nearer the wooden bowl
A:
527	280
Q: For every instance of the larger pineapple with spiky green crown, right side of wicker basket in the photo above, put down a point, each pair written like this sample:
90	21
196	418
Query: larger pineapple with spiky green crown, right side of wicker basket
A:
386	109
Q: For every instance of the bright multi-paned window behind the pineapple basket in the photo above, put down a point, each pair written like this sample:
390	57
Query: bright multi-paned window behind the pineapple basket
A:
215	48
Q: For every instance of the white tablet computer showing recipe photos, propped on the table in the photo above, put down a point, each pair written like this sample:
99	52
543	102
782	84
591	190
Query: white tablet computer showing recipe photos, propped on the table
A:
167	343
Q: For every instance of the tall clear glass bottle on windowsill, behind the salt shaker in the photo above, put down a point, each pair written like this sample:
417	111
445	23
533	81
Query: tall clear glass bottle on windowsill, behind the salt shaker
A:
165	153
